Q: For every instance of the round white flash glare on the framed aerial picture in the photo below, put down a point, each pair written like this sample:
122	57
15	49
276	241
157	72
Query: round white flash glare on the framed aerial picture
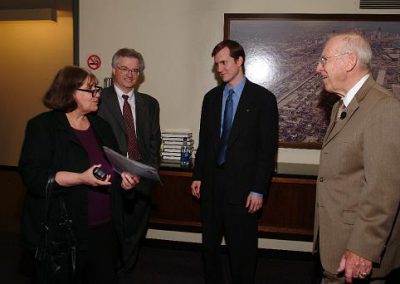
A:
262	66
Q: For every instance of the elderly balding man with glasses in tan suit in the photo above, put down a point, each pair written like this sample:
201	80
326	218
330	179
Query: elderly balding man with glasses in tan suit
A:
357	227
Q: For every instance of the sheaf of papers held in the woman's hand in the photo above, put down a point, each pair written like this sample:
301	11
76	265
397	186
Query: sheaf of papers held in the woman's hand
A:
121	164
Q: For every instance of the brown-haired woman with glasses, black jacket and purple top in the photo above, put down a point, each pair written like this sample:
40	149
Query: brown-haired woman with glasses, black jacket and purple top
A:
66	143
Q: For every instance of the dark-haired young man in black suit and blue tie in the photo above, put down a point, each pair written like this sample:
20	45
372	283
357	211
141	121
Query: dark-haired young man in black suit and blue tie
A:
234	162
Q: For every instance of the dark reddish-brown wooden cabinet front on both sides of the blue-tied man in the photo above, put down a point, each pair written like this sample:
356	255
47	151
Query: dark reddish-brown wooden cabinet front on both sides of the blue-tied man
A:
288	210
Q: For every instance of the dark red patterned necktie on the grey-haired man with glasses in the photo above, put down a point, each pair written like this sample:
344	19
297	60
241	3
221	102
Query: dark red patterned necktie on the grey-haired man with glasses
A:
133	149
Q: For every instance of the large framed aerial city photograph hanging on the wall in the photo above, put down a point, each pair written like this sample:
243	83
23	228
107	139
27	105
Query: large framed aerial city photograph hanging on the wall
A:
282	51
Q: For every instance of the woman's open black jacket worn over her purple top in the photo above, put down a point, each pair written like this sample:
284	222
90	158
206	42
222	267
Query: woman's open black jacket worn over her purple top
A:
50	146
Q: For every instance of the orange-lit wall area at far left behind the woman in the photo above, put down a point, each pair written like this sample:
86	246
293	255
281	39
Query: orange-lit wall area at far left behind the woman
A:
31	54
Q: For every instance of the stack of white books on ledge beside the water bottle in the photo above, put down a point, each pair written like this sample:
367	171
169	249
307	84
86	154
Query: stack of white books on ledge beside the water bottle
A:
172	141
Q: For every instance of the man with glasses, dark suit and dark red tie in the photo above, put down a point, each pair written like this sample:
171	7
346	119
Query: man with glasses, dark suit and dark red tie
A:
135	120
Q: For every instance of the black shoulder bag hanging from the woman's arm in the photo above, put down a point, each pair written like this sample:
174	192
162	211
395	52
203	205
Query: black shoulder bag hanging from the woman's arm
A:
56	253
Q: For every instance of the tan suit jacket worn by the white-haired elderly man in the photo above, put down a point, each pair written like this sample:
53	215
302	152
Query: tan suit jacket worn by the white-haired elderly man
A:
358	189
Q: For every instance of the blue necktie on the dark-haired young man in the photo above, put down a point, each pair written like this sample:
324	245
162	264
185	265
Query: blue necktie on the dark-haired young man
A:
226	128
